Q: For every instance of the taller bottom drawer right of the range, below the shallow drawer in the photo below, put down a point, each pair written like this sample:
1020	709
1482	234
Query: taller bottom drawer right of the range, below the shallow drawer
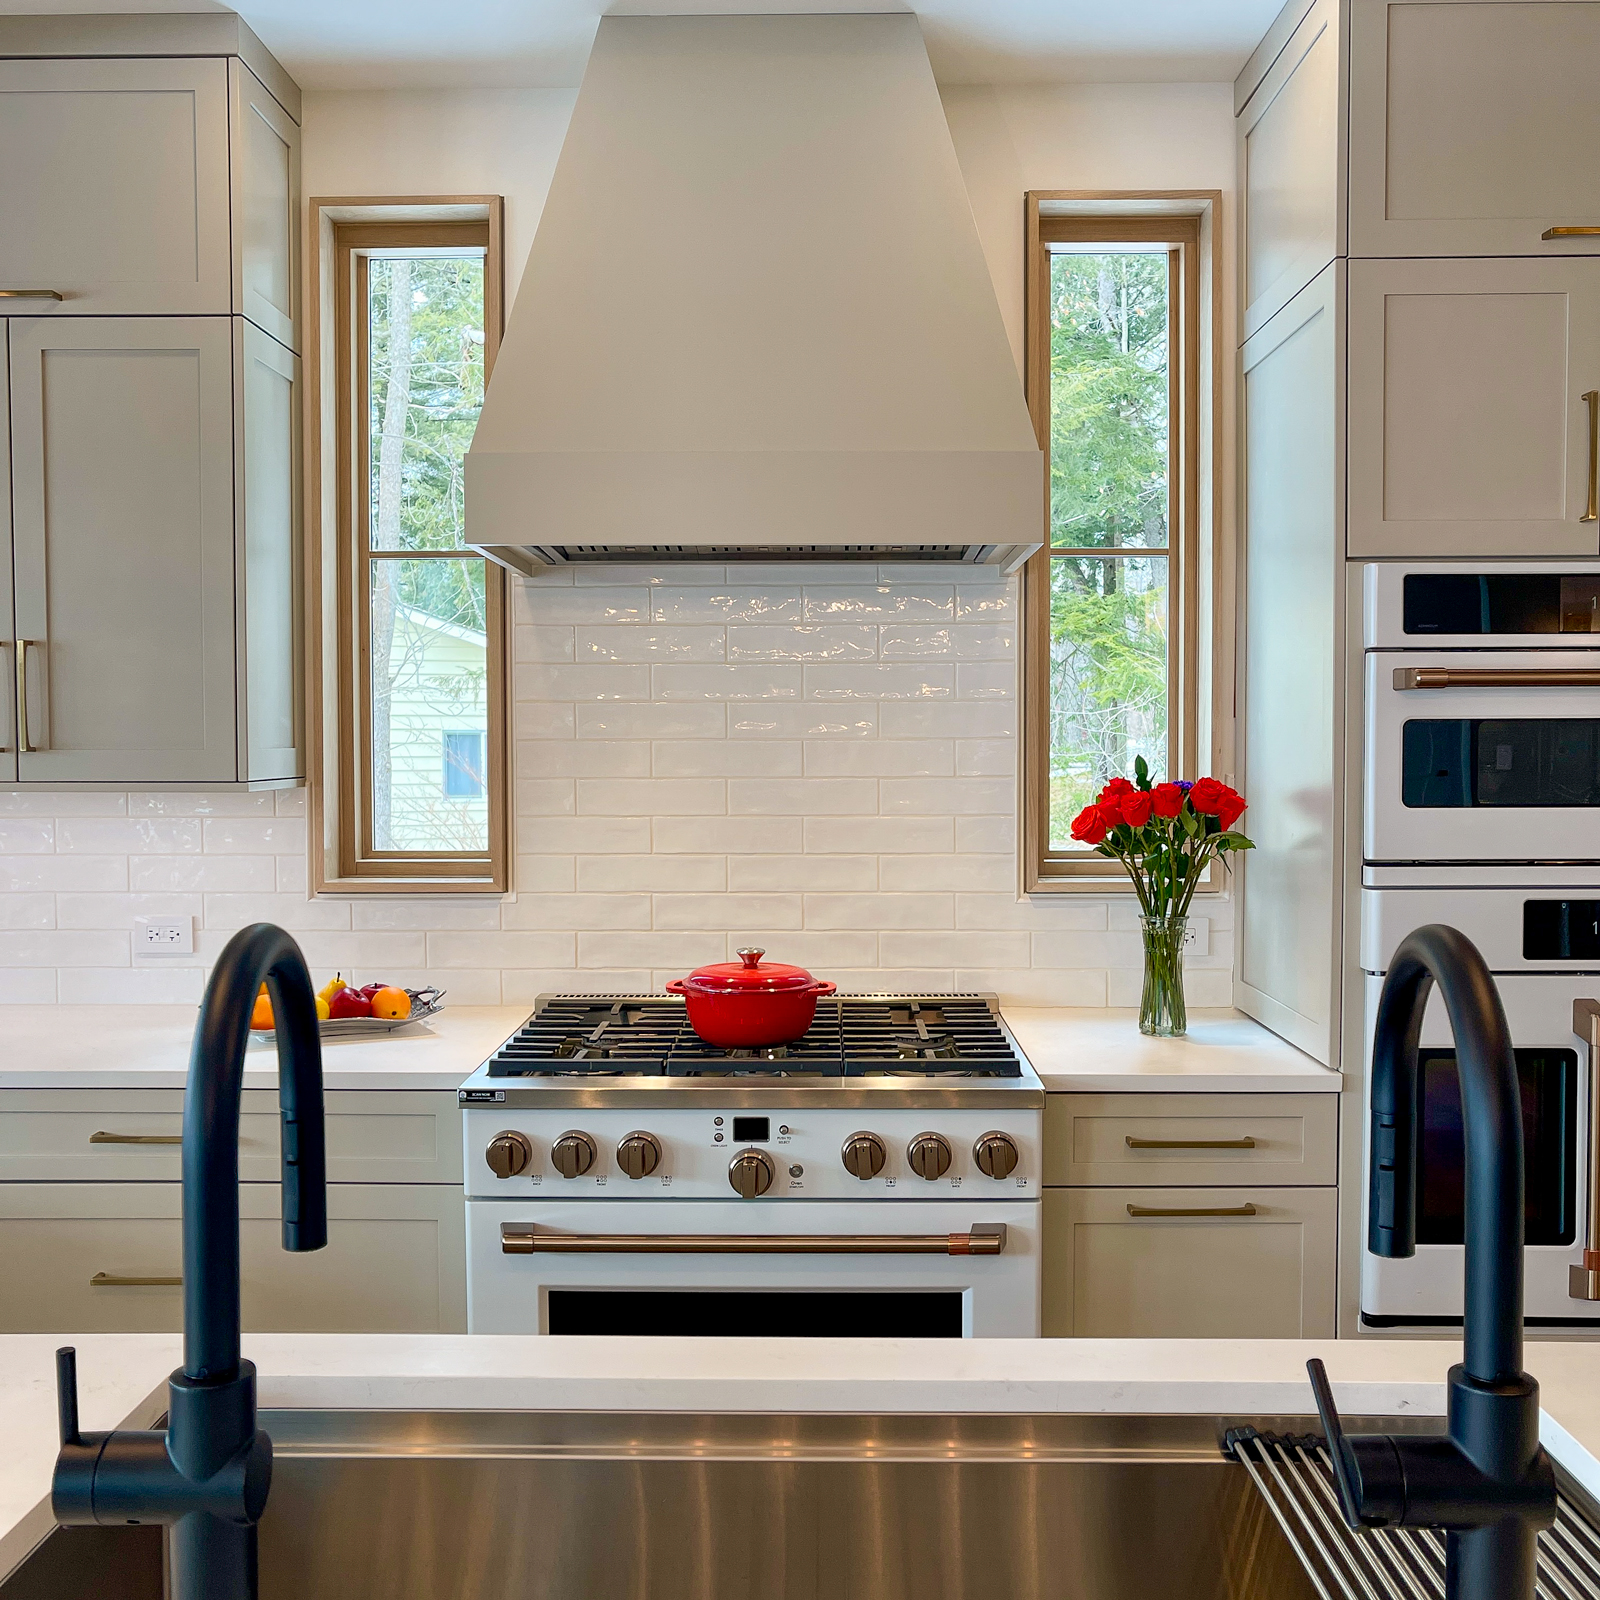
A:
1190	1263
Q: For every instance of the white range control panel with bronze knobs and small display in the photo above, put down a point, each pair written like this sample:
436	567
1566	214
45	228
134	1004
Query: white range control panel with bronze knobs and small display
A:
823	1154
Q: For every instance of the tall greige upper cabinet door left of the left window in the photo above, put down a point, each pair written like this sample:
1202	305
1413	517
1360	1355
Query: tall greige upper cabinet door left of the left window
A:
122	484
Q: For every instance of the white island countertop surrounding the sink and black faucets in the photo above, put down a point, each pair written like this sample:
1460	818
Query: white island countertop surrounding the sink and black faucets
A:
122	1383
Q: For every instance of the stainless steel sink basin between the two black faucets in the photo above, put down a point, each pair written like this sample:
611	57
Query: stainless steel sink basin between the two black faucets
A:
590	1506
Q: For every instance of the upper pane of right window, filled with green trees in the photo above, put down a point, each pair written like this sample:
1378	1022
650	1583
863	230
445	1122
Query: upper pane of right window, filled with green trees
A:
1108	399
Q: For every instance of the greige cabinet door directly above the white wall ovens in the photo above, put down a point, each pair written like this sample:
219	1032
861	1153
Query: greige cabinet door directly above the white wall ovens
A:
1468	428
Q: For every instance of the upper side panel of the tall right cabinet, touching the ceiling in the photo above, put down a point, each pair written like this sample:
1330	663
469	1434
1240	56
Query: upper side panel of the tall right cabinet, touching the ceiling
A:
1289	164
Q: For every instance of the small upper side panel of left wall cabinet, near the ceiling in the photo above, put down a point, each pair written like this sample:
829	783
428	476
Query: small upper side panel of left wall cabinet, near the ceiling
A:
266	188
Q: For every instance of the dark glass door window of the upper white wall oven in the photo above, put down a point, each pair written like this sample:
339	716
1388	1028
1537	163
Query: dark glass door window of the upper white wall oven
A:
1502	762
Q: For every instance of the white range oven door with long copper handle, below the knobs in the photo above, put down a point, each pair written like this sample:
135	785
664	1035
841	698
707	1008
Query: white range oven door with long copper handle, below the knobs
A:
726	1266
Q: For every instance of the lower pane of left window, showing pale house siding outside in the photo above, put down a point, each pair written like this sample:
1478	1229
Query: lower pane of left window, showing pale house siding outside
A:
430	705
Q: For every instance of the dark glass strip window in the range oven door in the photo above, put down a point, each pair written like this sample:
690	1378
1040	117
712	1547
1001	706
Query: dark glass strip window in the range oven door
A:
788	1314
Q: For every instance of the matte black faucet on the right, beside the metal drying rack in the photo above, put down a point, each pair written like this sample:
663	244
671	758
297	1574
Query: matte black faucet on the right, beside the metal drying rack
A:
1487	1482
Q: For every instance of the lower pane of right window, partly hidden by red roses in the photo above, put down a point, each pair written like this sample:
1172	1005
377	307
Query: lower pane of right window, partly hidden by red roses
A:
1108	678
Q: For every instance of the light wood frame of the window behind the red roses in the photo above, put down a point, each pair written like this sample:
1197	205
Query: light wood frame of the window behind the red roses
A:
1199	724
